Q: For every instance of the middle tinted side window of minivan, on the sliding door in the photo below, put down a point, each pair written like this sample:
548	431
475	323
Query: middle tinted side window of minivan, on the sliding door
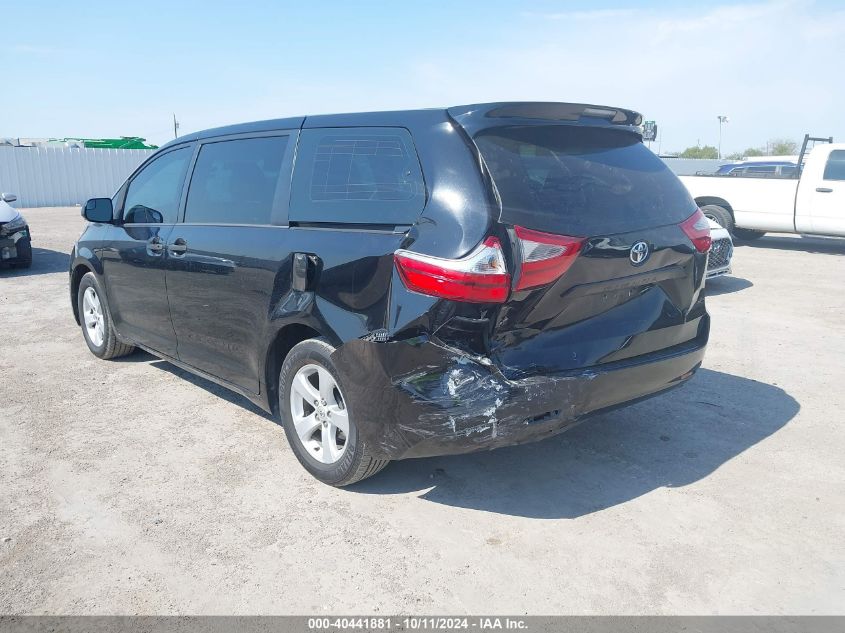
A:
234	182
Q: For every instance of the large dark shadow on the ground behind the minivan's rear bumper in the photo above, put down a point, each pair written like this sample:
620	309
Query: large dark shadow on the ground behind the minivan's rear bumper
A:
669	441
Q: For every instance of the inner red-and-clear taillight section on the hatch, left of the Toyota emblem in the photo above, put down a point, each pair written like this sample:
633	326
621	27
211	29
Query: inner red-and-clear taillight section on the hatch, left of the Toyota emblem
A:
545	256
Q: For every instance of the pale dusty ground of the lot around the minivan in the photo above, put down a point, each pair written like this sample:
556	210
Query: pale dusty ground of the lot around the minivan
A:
130	487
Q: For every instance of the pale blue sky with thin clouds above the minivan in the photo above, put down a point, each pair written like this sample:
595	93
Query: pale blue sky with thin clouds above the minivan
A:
102	69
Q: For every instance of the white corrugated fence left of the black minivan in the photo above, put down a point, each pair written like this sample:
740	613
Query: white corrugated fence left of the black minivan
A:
59	176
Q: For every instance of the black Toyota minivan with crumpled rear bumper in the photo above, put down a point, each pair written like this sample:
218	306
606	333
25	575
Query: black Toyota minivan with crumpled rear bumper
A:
406	284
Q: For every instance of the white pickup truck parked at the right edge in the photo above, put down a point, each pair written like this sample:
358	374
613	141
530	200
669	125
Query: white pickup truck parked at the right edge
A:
813	203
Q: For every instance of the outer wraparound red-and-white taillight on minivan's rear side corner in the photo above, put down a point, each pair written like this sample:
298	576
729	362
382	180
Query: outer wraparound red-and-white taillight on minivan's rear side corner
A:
480	277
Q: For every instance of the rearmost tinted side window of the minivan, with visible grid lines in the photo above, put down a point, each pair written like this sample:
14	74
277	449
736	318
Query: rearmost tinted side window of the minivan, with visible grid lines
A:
357	175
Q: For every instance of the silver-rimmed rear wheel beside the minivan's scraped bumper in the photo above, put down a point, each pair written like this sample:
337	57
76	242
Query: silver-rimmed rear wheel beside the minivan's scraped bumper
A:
310	391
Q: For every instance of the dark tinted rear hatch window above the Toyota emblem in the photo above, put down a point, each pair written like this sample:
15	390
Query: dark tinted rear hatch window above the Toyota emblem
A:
581	181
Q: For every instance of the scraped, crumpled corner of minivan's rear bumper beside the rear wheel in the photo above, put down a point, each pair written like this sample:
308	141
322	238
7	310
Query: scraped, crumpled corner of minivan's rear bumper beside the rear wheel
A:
413	396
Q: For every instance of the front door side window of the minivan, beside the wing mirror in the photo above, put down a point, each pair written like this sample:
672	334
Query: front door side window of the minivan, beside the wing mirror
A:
153	195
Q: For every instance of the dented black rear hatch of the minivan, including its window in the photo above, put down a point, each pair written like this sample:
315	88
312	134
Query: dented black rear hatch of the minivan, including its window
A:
589	177
